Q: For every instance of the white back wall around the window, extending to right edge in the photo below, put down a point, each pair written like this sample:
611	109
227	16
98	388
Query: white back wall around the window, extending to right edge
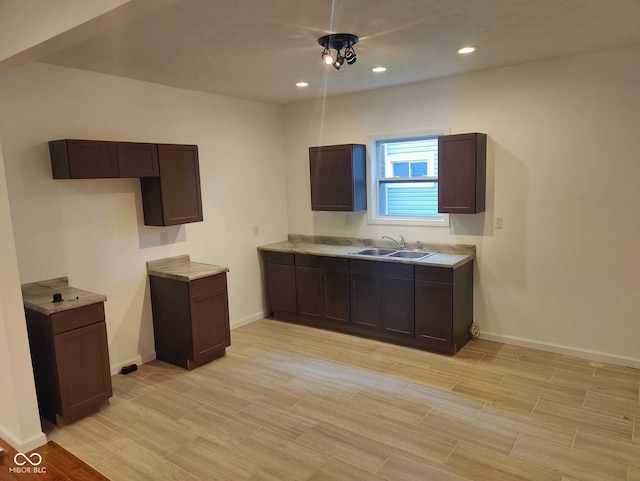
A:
563	172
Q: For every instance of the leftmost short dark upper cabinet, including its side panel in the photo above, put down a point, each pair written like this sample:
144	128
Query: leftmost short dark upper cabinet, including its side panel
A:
83	159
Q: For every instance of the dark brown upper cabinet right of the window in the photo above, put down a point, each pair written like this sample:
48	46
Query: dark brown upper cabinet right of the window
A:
462	165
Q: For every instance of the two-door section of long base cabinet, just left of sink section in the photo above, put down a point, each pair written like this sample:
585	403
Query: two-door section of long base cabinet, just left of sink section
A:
322	290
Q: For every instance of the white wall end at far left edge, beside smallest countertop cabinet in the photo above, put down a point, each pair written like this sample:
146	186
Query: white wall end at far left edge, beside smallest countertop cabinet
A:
19	421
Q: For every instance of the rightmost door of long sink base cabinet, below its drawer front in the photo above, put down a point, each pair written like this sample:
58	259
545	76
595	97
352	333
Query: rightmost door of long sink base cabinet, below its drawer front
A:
434	315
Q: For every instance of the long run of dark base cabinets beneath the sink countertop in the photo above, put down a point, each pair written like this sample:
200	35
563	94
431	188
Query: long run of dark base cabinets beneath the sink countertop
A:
420	306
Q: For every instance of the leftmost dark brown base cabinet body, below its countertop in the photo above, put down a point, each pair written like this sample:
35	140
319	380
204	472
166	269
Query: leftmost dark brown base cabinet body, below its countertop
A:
70	360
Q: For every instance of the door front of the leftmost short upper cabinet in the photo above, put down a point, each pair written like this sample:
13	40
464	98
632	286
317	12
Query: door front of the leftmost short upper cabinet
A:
90	159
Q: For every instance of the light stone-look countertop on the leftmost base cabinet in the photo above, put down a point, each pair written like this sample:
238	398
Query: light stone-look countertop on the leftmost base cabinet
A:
38	296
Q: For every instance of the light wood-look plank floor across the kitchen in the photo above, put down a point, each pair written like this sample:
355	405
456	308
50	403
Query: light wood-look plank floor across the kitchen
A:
296	403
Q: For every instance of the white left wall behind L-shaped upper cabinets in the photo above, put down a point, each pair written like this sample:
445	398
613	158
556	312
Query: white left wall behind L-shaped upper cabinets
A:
92	230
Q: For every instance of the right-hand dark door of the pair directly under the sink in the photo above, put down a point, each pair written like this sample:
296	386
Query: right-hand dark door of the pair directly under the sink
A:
397	307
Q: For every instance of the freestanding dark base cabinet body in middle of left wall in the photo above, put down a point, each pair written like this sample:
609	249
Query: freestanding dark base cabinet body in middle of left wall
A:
190	319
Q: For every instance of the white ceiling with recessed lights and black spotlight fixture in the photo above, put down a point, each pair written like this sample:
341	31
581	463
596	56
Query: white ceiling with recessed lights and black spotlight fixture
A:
258	49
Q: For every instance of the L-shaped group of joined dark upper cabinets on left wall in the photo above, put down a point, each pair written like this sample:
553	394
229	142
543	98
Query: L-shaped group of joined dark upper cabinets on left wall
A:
169	173
